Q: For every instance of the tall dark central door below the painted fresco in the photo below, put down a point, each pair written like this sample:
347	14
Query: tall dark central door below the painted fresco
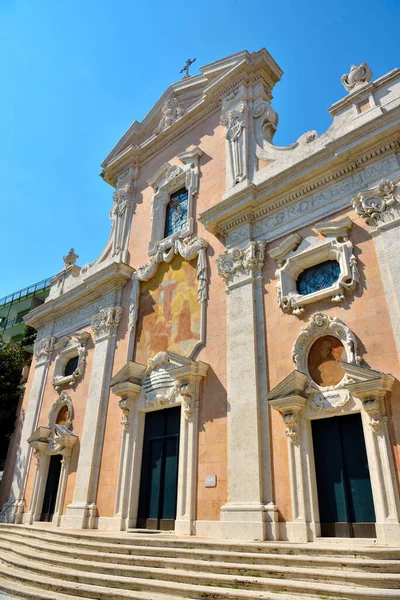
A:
159	476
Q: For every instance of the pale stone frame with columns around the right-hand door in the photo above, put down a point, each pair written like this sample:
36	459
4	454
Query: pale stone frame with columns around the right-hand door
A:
298	415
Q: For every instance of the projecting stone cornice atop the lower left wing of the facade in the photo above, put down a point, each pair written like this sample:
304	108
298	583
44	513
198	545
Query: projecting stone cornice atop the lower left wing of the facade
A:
113	277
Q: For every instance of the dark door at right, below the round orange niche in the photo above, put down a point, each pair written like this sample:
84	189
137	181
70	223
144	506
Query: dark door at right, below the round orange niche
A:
345	501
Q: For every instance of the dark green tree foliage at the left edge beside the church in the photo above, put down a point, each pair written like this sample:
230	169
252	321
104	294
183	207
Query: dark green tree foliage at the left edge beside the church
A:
11	362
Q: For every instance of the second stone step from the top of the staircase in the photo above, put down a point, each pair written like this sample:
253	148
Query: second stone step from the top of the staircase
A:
320	562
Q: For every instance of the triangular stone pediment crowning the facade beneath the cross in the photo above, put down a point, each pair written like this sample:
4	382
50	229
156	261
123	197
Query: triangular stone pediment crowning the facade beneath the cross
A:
189	94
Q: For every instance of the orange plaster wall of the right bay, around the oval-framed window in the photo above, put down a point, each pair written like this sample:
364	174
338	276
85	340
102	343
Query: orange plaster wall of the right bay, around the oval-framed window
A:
365	311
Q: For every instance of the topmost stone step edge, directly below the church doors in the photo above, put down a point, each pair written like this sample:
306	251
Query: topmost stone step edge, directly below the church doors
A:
192	542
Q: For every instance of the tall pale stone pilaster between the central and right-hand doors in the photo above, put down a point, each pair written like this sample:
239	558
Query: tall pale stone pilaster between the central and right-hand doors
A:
244	515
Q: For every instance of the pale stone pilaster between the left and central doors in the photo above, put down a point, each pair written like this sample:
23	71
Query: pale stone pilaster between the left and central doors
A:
83	505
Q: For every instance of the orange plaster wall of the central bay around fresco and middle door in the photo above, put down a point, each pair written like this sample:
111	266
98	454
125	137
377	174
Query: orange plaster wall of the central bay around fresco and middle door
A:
210	137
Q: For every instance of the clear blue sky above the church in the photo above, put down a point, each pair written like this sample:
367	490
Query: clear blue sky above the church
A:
76	74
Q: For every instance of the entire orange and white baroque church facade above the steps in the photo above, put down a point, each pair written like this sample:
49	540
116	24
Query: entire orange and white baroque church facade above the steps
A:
229	366
